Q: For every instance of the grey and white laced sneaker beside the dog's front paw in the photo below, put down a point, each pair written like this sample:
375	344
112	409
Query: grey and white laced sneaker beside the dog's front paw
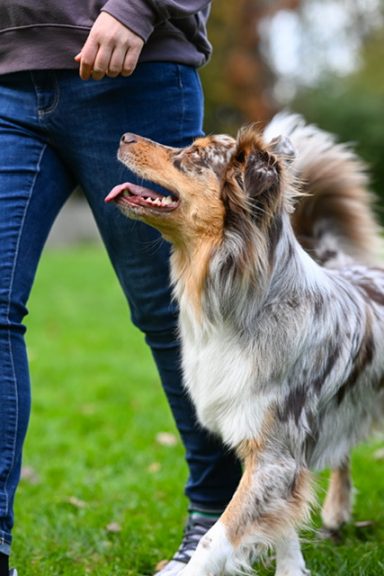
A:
194	530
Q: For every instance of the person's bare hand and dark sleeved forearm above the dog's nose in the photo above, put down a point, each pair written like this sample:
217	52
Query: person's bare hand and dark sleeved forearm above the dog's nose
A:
117	37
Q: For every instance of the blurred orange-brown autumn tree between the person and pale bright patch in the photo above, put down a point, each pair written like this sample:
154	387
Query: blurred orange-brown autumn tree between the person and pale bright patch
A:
239	80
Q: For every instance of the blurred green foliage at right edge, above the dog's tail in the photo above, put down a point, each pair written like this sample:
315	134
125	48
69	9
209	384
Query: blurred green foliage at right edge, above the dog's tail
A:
353	108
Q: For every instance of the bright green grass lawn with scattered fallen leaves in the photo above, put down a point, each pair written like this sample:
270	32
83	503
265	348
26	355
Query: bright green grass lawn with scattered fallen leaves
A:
92	453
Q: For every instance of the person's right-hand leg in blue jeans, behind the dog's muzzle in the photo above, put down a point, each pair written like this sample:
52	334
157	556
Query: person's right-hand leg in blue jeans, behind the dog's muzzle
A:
162	102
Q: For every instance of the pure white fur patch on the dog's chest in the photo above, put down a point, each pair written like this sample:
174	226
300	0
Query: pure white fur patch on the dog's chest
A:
219	377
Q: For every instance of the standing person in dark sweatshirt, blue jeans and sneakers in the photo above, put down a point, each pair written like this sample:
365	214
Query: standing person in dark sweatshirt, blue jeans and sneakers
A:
73	77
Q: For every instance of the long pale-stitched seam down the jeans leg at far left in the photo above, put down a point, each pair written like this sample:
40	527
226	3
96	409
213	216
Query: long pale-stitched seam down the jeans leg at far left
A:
8	319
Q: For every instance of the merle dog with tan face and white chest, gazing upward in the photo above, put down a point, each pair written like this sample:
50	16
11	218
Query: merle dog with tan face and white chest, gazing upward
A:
281	318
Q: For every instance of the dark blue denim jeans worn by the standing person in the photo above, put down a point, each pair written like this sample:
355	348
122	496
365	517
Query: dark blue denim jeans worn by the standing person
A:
57	132
